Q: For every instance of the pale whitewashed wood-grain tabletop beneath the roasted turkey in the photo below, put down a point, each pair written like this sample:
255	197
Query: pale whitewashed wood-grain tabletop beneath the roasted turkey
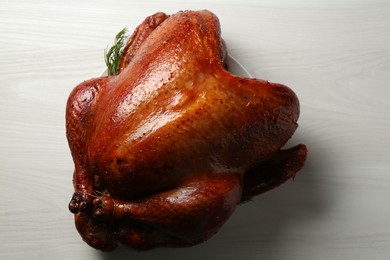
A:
334	54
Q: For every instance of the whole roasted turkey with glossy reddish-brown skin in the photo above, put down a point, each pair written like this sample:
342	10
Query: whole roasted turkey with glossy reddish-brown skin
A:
166	149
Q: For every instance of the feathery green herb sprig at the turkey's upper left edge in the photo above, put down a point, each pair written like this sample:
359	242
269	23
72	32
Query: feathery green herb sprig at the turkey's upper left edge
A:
112	55
